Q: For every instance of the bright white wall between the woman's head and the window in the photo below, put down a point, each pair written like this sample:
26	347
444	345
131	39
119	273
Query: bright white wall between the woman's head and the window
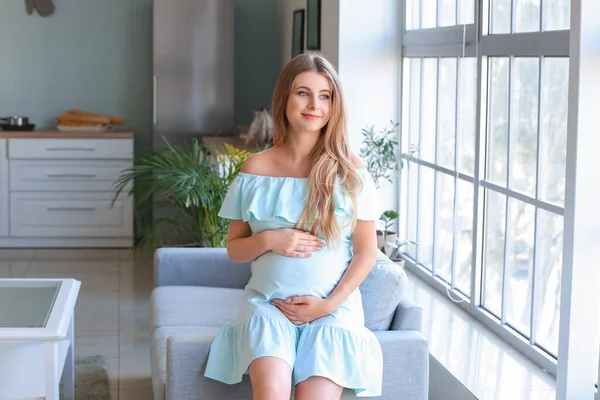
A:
369	67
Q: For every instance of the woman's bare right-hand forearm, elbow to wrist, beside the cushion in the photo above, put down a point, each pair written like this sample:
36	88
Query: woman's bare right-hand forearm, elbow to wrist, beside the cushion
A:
364	241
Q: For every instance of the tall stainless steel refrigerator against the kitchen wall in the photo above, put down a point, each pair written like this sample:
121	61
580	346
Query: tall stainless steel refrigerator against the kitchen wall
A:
193	69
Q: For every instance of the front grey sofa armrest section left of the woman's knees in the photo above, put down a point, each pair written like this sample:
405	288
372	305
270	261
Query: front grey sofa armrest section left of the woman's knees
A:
187	356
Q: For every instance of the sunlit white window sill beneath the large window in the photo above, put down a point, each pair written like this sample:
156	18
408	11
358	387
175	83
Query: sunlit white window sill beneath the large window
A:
461	347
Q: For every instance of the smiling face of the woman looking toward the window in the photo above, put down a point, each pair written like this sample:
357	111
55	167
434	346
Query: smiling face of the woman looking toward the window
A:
309	103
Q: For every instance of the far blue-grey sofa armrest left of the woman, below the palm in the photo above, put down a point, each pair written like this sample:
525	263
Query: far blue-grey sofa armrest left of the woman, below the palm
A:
199	267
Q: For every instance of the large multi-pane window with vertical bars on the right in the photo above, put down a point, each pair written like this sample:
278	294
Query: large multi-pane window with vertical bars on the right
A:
484	135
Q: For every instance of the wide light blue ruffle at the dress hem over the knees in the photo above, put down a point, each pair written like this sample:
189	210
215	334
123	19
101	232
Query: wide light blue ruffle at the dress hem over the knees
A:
350	358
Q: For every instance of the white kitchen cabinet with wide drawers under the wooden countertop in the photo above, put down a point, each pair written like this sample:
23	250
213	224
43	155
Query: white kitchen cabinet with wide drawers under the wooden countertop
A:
59	190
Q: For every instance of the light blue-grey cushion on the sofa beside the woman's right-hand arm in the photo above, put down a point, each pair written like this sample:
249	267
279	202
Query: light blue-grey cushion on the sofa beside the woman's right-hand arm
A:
381	292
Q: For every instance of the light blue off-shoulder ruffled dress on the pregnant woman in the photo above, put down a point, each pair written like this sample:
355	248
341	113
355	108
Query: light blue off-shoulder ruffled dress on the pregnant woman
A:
337	346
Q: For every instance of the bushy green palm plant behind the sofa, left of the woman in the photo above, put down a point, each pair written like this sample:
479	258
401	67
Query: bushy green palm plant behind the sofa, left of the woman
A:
186	180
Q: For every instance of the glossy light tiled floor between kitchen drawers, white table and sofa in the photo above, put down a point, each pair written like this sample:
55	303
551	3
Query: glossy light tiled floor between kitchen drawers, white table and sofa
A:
111	315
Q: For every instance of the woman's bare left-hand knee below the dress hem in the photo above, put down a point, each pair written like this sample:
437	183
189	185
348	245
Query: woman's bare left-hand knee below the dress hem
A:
271	378
